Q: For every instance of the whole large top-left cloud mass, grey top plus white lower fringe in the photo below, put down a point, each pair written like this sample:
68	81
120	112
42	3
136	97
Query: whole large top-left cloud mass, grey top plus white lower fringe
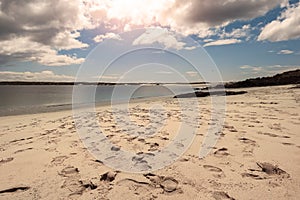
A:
45	25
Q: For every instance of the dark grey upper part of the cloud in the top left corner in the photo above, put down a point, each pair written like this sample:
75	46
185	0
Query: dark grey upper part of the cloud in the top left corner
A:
42	20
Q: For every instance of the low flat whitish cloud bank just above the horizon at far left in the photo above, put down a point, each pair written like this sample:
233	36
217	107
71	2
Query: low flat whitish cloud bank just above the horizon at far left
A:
34	76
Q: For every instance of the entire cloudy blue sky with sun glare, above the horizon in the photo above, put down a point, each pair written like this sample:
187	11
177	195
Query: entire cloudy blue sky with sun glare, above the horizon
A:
229	40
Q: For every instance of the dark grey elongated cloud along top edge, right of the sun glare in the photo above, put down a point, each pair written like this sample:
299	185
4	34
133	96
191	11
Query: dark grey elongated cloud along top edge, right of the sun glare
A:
218	12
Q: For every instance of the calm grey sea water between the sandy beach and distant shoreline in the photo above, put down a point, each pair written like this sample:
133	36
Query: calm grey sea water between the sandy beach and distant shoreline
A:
28	99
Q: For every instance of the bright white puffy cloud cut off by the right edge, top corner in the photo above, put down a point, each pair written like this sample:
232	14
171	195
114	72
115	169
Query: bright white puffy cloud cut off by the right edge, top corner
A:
286	27
